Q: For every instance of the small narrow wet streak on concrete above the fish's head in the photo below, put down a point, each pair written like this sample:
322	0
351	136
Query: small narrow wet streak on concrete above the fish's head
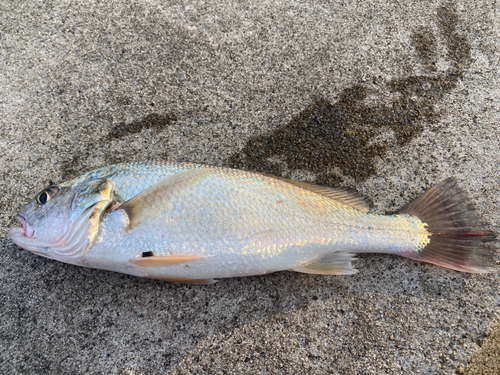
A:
74	167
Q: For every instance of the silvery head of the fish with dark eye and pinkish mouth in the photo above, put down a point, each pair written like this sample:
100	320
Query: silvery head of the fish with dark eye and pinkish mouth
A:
61	221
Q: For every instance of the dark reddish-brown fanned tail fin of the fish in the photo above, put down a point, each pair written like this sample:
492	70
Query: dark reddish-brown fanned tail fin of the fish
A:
456	238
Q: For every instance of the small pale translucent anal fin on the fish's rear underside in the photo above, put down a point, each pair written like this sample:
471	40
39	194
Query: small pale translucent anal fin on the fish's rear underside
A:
330	264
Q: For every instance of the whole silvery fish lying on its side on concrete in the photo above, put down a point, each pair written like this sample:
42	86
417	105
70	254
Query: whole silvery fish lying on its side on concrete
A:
194	223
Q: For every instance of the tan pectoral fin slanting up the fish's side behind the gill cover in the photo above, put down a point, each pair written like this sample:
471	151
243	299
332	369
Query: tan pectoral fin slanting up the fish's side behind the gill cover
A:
155	200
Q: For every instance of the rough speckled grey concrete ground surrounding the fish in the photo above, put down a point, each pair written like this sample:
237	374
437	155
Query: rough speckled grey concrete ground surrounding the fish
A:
387	97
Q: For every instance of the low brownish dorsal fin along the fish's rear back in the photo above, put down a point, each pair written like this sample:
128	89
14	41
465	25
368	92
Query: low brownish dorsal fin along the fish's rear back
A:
344	195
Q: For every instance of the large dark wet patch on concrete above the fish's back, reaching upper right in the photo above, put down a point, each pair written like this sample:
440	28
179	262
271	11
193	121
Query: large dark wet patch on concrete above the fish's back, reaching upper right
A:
337	139
